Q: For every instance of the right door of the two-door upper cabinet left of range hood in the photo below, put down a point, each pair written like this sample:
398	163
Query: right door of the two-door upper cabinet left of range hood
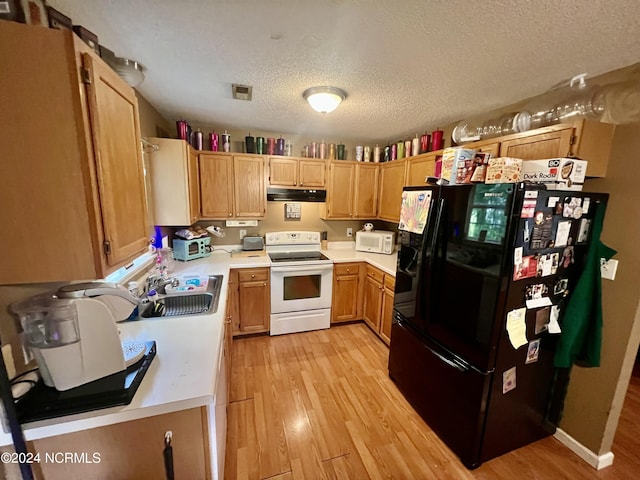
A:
250	195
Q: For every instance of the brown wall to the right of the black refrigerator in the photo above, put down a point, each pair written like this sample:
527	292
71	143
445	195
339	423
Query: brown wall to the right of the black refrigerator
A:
595	395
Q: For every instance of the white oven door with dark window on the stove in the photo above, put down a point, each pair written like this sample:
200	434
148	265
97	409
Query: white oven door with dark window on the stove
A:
298	288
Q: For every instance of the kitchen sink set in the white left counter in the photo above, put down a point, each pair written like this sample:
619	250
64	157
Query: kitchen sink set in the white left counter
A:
181	304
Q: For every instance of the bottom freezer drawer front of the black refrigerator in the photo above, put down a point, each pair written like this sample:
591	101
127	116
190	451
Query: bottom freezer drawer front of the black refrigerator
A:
449	395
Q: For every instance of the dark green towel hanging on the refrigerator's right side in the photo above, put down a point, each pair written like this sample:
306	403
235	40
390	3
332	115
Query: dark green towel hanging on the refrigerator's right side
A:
581	336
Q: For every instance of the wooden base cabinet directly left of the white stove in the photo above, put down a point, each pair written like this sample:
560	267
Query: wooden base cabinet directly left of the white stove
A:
252	308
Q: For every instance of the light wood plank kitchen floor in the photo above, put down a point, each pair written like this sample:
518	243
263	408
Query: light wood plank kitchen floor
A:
320	405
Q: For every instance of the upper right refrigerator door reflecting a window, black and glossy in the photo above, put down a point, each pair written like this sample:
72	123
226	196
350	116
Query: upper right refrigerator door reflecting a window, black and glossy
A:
468	263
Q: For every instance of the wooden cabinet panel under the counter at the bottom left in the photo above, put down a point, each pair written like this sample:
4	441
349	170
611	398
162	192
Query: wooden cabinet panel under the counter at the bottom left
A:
132	449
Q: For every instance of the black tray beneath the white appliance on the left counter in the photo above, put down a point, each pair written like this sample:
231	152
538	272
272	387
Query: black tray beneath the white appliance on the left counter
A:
42	402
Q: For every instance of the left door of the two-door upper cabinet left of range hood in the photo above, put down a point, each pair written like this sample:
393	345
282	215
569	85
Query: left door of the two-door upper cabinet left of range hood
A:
216	185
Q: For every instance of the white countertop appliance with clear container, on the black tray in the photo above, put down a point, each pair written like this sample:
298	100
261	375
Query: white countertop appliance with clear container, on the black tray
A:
73	334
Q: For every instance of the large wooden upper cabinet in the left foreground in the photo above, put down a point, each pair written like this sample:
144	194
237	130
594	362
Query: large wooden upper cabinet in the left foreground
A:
73	196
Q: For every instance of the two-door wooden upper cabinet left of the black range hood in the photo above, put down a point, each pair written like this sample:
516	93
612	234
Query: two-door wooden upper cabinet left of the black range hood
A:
232	186
